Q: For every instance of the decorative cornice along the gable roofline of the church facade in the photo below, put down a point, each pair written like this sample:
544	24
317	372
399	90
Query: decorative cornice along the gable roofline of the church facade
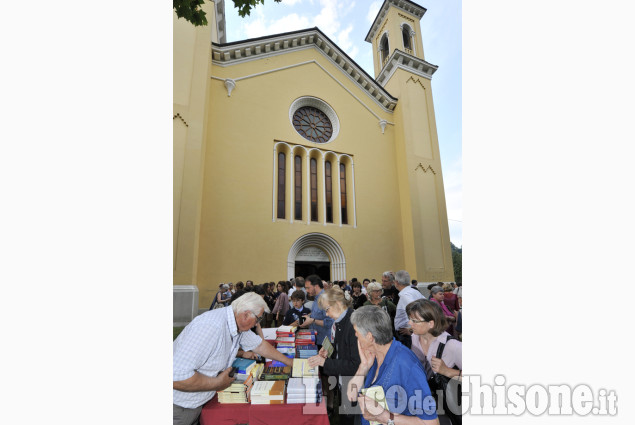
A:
259	48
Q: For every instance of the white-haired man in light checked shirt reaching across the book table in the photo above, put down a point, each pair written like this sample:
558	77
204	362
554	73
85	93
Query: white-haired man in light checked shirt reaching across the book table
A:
205	350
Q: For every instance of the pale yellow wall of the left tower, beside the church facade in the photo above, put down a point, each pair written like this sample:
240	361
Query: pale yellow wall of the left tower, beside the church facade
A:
192	62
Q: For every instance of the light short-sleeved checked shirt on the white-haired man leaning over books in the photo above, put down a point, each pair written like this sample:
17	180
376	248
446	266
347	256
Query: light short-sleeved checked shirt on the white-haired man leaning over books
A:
207	345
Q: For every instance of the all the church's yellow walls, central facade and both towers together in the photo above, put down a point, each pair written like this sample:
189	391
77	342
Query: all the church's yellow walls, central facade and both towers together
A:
225	226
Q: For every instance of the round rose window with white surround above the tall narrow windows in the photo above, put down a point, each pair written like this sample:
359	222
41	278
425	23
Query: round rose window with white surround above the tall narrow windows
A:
314	119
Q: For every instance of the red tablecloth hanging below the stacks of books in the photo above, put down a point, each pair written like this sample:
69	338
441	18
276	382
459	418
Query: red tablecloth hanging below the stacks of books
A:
214	413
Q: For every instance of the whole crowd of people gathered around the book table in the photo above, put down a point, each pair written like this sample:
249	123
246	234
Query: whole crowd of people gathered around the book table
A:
412	340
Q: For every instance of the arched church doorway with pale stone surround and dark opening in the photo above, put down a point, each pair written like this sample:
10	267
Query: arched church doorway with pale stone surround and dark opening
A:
316	253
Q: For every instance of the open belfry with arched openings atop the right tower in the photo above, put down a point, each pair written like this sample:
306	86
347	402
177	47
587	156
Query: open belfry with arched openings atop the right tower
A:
396	26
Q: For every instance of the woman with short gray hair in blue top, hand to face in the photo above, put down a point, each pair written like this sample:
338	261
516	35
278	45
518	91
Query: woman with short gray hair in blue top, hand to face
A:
387	363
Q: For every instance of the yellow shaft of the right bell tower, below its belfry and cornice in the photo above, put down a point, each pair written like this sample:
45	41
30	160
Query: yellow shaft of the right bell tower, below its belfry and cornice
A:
424	215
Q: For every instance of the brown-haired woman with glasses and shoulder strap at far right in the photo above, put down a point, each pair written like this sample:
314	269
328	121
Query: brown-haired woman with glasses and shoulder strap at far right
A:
429	331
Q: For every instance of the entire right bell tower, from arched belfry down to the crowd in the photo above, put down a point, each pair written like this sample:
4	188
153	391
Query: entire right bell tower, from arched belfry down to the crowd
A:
401	69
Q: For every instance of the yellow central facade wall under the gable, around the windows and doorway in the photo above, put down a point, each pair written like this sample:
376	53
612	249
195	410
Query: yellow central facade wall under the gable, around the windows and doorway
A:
239	240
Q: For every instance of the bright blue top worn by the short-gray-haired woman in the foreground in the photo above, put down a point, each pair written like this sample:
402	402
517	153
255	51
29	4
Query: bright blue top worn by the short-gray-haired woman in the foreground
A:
404	382
